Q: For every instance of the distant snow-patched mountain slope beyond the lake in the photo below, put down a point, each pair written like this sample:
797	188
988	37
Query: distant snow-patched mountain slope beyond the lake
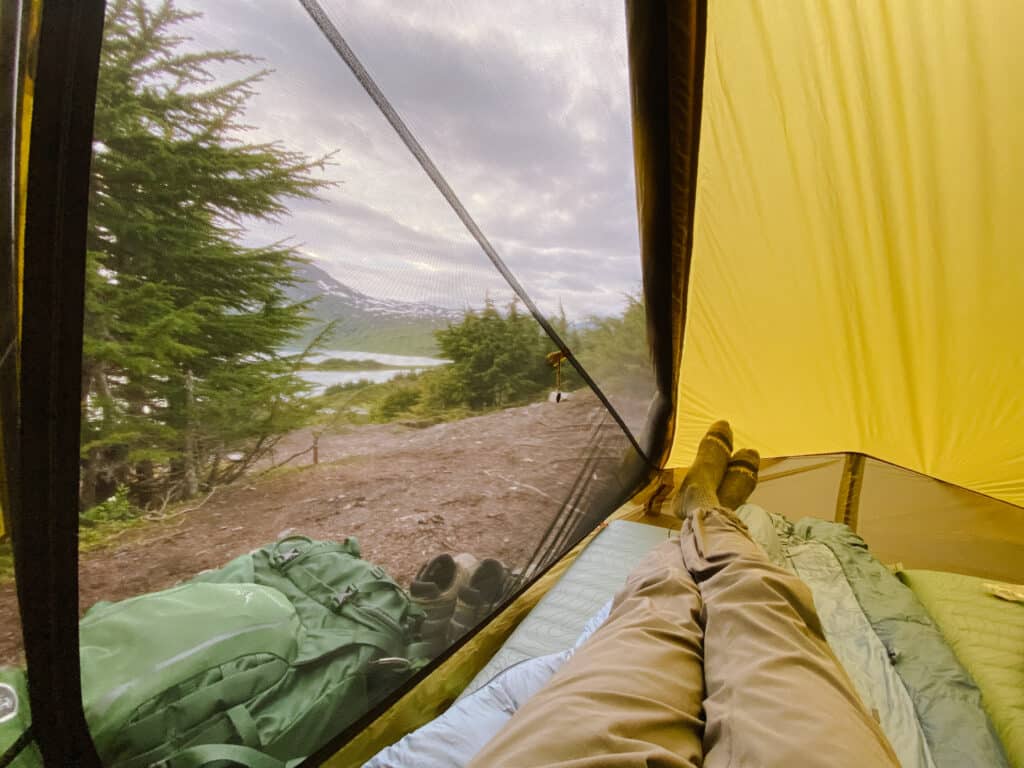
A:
367	324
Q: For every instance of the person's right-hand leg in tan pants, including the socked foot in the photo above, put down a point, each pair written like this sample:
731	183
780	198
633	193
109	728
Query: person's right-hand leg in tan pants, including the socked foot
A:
776	695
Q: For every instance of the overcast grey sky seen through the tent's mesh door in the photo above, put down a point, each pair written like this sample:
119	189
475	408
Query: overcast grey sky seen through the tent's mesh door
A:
524	107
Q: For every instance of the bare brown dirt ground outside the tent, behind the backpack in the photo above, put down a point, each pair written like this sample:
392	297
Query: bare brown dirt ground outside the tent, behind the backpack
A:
488	485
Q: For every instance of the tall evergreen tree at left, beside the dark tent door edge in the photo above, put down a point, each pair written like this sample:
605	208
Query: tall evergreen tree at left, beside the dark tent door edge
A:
184	323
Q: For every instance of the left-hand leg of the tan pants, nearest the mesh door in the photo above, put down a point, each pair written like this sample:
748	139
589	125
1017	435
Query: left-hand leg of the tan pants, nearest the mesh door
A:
631	695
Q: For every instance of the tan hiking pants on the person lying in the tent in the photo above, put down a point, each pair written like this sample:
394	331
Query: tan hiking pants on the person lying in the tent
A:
712	656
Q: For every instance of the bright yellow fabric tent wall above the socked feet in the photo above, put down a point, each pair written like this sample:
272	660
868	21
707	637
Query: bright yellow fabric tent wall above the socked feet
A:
858	274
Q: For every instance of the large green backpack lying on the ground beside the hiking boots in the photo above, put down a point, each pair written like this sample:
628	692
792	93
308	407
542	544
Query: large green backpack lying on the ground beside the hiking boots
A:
258	664
